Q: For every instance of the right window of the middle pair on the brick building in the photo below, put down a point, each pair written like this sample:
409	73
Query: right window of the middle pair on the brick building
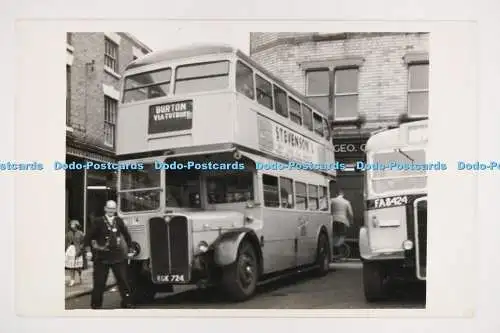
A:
345	94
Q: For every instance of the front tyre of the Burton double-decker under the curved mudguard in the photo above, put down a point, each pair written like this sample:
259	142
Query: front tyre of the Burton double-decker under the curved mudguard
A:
239	279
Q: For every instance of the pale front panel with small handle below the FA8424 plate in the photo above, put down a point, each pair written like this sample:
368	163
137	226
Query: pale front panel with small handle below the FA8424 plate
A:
391	231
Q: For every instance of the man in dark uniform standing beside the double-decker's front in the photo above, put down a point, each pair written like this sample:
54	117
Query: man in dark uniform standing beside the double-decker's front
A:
110	240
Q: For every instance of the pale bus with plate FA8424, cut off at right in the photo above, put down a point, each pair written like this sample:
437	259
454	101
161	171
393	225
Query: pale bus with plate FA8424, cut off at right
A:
393	240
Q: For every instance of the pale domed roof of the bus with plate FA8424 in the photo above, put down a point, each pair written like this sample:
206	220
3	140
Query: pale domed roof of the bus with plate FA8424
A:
393	138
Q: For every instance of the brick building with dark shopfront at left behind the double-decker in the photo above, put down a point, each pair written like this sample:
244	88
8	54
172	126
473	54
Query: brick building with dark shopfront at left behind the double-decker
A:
94	65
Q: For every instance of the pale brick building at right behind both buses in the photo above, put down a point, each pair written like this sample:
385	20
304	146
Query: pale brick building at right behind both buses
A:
364	82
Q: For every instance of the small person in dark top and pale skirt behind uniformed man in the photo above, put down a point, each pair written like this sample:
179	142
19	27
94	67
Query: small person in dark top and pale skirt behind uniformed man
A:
75	260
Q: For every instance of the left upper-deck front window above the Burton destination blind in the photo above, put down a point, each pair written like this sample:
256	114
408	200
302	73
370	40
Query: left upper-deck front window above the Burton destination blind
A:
148	85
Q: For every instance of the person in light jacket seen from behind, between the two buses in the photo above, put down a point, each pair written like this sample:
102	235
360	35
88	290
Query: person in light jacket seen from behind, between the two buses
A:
342	217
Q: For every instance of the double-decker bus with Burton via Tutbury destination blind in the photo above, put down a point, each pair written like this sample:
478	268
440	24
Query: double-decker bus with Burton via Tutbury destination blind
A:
216	201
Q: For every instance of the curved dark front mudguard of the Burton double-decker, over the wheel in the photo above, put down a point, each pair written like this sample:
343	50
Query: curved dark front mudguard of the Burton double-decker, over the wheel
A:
226	246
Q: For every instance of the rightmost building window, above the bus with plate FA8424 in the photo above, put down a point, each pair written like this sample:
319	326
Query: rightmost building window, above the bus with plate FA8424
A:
418	89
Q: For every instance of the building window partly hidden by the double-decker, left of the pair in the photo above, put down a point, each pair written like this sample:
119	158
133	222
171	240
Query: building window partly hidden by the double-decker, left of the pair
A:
318	88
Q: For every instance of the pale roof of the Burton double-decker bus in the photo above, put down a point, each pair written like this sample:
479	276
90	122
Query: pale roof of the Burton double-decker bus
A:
196	50
